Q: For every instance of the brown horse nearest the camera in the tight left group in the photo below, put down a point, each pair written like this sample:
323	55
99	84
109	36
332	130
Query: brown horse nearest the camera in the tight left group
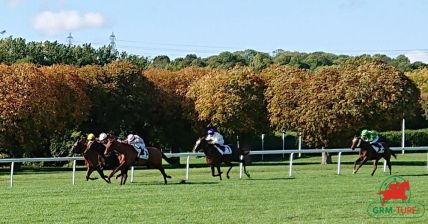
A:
130	158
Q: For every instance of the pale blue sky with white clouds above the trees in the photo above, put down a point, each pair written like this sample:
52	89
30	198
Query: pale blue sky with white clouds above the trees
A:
179	27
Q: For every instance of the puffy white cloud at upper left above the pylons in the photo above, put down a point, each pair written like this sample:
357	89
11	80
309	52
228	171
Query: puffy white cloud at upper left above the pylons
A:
53	23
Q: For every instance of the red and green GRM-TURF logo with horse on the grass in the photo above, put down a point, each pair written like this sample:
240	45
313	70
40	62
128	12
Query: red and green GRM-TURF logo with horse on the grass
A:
395	200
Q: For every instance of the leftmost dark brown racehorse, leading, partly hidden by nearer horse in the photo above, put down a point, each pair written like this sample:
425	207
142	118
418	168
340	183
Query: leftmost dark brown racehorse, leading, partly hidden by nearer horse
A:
94	158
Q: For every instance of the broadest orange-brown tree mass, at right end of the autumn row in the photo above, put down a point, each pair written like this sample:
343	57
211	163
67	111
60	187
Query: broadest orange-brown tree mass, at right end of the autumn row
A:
333	103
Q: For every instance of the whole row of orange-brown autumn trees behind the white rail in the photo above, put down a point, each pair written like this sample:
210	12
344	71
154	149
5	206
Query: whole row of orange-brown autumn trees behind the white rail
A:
41	107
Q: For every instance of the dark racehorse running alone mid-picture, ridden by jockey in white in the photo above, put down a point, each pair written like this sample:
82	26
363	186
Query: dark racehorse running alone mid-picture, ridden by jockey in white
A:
215	158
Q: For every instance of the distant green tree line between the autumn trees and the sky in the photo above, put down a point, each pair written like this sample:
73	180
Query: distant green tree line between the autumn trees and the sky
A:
18	50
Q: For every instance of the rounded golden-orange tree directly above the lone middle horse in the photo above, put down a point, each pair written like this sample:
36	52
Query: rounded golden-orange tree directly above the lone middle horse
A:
231	100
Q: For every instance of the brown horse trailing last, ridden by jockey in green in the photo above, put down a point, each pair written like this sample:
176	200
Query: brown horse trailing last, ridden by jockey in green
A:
367	152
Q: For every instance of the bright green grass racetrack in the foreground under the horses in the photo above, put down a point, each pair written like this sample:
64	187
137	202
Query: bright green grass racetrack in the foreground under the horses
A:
314	194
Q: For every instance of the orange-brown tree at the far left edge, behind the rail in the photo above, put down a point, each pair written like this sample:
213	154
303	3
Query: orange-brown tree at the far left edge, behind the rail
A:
34	104
